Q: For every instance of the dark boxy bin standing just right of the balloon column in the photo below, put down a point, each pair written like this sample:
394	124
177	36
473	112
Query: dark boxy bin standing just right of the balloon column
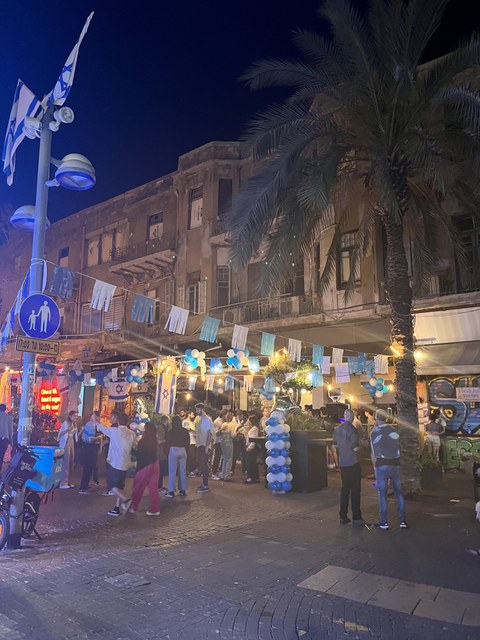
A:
309	461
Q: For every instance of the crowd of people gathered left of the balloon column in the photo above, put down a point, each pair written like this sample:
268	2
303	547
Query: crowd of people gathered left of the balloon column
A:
168	451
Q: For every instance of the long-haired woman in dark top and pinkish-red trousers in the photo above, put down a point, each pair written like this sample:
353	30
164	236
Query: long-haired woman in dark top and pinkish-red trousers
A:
148	471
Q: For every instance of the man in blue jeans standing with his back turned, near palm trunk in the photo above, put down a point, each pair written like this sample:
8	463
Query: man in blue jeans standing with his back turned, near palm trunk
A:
385	443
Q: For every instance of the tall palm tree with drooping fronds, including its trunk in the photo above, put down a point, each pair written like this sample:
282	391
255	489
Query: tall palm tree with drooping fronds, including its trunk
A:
364	110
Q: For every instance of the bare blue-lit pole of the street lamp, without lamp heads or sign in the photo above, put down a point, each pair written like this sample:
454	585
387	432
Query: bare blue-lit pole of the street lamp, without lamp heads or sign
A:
35	286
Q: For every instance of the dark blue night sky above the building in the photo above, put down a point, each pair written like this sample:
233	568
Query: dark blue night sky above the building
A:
154	80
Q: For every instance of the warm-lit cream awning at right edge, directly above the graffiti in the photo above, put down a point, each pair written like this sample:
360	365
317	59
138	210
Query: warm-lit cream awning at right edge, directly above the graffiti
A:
460	358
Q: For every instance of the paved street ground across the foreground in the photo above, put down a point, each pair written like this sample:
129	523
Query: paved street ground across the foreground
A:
239	563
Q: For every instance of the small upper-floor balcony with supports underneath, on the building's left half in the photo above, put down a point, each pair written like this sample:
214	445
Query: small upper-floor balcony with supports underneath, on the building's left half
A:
143	260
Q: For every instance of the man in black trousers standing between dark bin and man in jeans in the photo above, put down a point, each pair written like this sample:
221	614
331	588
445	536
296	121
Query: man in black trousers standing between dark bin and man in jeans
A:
346	439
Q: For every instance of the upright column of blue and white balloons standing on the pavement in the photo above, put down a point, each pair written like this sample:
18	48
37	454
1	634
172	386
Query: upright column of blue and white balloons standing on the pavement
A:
278	461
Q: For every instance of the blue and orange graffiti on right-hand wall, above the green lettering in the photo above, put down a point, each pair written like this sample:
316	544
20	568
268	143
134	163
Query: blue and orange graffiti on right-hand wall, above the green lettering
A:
460	416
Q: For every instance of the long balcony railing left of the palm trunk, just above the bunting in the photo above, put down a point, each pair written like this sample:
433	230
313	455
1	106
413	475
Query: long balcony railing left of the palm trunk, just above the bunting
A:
268	309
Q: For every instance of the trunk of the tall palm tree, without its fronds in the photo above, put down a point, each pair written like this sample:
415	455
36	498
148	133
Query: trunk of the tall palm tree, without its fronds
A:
400	299
